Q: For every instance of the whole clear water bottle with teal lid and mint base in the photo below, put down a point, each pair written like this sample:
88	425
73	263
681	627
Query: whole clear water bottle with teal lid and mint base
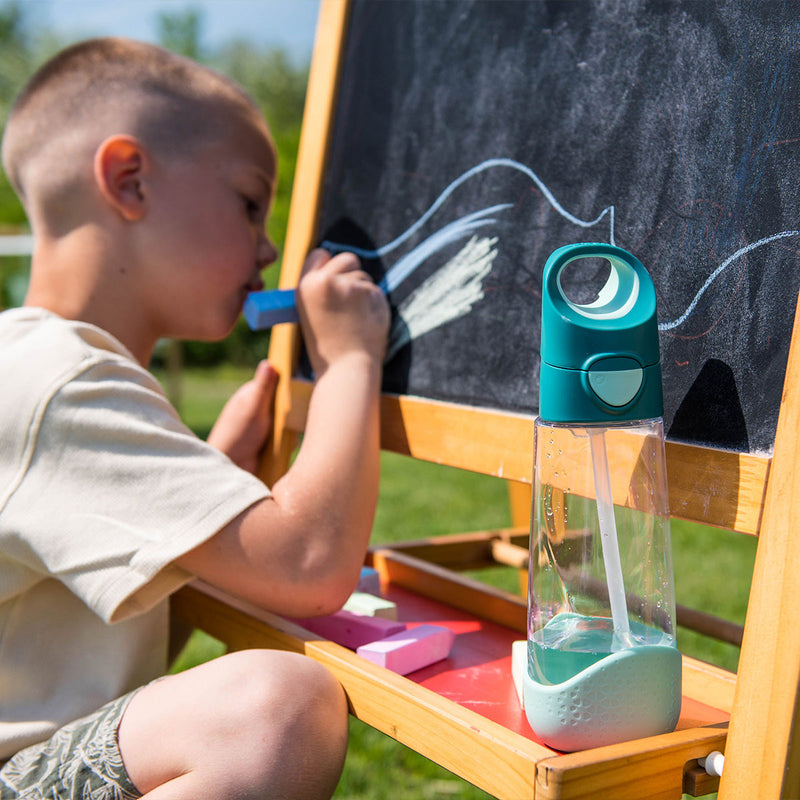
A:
603	665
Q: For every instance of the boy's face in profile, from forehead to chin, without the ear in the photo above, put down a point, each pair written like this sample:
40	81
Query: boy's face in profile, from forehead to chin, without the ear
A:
207	218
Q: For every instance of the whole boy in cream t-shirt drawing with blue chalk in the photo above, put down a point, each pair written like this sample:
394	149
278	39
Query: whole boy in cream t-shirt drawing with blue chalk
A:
147	180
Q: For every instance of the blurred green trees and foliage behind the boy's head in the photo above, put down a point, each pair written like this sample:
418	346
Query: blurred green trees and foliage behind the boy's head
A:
270	77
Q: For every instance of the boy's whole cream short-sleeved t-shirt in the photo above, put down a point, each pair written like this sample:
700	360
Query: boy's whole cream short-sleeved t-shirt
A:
101	488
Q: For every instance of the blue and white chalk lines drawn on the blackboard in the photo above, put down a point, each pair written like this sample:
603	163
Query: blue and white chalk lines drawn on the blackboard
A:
452	294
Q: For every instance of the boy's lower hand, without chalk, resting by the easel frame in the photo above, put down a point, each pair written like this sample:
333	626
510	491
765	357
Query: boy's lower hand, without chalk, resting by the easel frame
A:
245	423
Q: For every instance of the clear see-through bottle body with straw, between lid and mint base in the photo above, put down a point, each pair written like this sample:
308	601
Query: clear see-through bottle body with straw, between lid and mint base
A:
600	577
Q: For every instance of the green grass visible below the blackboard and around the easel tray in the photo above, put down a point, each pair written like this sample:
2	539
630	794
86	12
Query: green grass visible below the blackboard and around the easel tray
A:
713	570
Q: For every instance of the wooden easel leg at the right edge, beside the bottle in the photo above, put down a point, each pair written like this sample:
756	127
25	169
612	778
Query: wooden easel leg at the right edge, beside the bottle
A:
762	756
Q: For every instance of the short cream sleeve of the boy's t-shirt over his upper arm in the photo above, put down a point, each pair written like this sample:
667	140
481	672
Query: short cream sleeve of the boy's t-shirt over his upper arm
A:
115	488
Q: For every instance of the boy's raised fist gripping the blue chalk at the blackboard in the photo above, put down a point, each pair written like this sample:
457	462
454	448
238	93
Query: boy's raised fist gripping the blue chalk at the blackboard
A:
341	310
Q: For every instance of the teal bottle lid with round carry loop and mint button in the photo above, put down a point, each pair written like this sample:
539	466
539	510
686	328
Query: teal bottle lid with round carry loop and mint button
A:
600	362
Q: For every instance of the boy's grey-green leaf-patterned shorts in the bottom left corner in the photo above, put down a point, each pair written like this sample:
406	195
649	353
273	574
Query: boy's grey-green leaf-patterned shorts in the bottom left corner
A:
81	760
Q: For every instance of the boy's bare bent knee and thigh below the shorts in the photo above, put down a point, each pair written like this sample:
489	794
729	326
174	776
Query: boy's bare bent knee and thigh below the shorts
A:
253	724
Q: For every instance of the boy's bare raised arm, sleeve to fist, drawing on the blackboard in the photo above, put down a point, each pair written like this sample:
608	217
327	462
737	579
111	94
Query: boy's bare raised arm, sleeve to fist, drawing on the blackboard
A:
299	552
